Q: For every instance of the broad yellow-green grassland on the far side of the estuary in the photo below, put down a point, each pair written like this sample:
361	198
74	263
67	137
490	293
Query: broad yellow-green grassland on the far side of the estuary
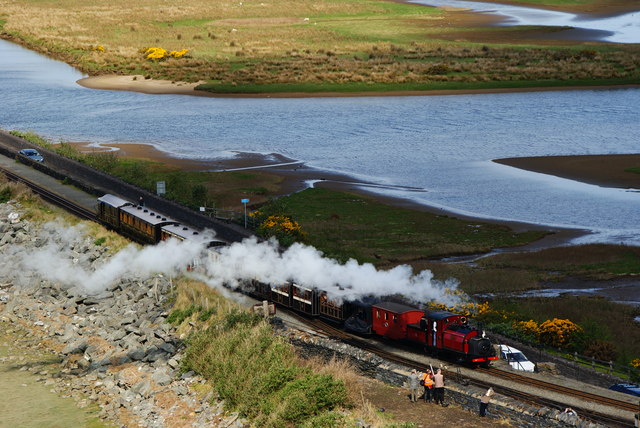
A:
305	46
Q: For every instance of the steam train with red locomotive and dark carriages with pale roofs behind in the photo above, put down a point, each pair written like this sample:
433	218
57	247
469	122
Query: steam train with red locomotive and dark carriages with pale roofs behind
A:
438	332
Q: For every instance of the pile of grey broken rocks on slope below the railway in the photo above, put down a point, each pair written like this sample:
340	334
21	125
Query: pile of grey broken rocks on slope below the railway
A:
116	348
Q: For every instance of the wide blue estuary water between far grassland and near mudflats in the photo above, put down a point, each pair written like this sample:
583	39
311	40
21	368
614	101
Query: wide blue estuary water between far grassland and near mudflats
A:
439	146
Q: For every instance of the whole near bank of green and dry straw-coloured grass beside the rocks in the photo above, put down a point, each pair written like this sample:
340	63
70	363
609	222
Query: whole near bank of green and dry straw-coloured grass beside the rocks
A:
258	373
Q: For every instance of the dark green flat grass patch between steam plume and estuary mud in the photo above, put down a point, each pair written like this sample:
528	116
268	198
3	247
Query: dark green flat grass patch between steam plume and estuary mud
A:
347	226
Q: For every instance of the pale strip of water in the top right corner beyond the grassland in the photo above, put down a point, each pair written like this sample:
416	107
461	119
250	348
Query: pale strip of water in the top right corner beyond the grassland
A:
624	28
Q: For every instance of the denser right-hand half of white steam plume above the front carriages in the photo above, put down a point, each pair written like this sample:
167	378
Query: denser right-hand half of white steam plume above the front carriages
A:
306	266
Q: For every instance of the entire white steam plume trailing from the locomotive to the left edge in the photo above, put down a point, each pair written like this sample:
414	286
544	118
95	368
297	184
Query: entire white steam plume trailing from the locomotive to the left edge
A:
60	258
